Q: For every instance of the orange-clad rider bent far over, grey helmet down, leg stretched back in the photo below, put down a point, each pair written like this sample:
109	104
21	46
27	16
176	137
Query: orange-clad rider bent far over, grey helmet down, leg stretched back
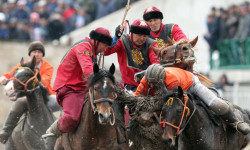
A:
173	77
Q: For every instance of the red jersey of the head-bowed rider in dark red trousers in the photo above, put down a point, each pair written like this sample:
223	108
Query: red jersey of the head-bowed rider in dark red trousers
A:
76	66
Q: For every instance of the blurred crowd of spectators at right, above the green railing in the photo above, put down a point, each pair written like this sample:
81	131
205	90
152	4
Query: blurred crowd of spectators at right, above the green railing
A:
228	23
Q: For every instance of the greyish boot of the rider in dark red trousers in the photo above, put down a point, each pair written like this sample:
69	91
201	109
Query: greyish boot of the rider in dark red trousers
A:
51	135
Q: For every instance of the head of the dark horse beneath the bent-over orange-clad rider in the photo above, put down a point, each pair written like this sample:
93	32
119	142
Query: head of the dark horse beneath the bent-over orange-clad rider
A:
173	117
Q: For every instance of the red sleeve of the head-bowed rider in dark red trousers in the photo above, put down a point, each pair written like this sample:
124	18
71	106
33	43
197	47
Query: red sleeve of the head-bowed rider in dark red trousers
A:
83	54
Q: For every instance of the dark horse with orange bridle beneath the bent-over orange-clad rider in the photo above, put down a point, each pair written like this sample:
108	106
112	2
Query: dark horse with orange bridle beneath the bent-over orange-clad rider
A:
189	126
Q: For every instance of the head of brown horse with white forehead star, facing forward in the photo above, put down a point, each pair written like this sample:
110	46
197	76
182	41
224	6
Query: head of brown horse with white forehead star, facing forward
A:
101	92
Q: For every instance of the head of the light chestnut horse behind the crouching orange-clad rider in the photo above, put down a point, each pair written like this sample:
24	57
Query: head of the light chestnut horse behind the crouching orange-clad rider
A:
179	54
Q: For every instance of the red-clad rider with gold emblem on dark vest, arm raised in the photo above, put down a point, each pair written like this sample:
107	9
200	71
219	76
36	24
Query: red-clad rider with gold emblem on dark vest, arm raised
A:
134	52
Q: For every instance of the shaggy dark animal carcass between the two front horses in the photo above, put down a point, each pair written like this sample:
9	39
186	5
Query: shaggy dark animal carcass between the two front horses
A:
144	131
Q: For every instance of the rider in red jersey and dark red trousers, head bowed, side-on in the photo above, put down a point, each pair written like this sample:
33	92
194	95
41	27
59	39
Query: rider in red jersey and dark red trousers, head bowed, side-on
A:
71	81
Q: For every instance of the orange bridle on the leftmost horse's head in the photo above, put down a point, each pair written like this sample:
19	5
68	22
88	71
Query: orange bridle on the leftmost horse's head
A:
34	78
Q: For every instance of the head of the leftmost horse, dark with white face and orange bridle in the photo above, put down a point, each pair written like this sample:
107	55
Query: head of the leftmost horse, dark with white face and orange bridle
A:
25	79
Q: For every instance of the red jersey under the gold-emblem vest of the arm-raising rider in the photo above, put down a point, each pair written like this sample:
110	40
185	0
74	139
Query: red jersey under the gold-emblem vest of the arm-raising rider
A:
126	71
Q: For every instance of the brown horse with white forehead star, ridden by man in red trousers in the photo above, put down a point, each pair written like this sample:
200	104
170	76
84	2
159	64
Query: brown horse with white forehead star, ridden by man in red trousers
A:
96	130
